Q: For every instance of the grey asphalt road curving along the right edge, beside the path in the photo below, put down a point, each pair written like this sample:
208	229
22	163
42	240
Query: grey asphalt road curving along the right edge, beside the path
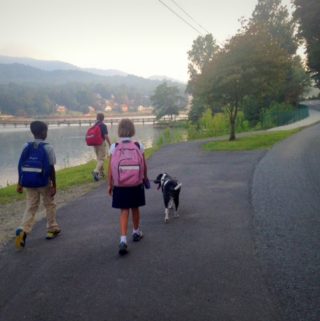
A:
286	198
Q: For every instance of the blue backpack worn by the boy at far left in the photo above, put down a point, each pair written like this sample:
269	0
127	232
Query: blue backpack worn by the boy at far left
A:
34	167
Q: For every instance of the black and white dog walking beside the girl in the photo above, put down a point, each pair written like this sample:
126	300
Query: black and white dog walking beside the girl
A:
170	190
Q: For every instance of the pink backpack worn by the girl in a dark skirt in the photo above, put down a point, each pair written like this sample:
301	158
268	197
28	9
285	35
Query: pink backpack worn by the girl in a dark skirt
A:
127	165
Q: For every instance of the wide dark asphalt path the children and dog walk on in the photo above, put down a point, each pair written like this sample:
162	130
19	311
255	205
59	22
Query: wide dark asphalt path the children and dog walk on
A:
206	265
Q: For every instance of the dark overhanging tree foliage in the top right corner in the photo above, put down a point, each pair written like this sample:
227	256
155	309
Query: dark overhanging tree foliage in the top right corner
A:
307	13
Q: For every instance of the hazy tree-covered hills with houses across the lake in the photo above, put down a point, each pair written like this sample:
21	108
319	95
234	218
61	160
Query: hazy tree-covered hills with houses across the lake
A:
28	91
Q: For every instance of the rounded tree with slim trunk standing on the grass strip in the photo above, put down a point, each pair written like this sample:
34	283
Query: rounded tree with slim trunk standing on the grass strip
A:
249	65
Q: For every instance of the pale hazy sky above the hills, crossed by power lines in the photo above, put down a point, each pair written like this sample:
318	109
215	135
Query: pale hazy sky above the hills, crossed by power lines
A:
141	37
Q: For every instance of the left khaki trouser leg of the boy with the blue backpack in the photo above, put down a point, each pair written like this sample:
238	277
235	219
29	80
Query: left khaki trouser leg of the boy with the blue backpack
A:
32	205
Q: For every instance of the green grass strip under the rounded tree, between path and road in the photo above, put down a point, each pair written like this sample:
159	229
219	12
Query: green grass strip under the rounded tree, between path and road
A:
255	142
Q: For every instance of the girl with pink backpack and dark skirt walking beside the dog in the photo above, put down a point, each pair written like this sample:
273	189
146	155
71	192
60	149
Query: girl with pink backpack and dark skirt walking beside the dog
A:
127	177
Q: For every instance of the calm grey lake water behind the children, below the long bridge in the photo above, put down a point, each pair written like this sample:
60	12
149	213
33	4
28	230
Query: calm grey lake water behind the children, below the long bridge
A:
68	143
